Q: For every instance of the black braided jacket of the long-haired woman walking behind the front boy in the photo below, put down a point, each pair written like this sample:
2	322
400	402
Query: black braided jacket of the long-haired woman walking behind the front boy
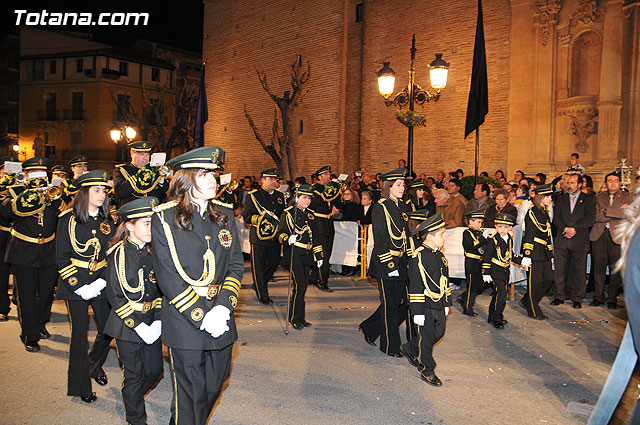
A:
390	239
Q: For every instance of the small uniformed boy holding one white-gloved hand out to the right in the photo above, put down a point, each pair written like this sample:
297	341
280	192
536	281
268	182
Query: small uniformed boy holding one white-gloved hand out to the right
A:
496	263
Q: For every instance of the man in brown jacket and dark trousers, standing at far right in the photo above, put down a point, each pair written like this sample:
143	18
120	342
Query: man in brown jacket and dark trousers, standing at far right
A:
610	206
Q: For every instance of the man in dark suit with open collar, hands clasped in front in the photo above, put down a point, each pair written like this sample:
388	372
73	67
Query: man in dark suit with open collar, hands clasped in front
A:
574	215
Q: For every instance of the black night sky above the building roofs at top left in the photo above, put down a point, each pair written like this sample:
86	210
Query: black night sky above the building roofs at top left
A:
176	23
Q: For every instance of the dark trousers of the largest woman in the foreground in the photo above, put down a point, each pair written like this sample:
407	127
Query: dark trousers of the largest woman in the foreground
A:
197	380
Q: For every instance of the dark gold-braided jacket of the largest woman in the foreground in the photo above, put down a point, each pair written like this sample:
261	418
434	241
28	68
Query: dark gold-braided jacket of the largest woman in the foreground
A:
181	271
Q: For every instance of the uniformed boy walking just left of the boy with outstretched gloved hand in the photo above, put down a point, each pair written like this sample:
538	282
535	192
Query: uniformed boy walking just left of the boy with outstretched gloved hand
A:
473	243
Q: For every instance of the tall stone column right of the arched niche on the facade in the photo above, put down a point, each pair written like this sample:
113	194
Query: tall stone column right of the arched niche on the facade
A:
610	102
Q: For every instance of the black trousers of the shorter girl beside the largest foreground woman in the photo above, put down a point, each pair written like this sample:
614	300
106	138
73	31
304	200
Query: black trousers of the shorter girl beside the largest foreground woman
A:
142	366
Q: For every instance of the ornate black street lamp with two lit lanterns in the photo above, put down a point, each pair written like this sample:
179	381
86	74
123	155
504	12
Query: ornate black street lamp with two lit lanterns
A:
412	93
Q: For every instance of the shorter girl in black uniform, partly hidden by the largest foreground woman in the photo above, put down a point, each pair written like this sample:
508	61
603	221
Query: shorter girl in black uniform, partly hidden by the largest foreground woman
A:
135	299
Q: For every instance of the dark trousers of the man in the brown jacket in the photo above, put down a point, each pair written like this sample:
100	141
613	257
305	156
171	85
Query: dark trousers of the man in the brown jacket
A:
605	253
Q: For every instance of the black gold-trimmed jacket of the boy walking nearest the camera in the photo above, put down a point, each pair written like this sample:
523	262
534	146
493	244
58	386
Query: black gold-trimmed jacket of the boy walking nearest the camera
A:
429	286
